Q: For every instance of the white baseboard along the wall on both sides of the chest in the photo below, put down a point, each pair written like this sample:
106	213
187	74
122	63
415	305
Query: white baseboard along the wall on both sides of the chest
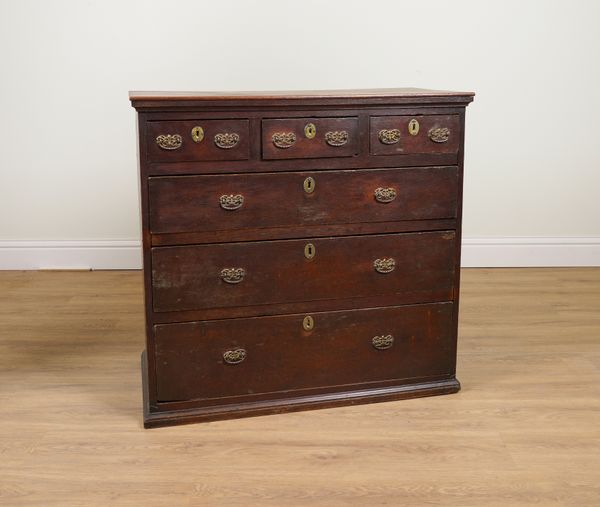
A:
126	254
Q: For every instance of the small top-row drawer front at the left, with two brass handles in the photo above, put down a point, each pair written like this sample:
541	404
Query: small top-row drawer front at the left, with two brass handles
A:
197	140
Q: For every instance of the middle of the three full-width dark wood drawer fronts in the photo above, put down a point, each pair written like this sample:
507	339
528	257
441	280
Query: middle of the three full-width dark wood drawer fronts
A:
269	272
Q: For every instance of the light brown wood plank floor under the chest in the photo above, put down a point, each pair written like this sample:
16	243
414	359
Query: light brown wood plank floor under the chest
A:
524	430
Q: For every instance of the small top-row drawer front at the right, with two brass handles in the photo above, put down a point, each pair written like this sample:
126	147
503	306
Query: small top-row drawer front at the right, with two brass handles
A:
399	135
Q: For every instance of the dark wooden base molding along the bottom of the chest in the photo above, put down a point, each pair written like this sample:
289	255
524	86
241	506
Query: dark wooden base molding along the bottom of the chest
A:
313	402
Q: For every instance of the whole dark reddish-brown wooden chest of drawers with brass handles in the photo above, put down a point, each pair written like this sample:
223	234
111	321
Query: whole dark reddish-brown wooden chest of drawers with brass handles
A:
301	249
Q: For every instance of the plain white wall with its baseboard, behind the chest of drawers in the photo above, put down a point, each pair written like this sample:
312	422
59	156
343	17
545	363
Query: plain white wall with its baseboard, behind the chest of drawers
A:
68	162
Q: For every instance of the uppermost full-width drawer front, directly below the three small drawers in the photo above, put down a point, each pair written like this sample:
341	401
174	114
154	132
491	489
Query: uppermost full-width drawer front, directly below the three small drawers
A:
225	202
